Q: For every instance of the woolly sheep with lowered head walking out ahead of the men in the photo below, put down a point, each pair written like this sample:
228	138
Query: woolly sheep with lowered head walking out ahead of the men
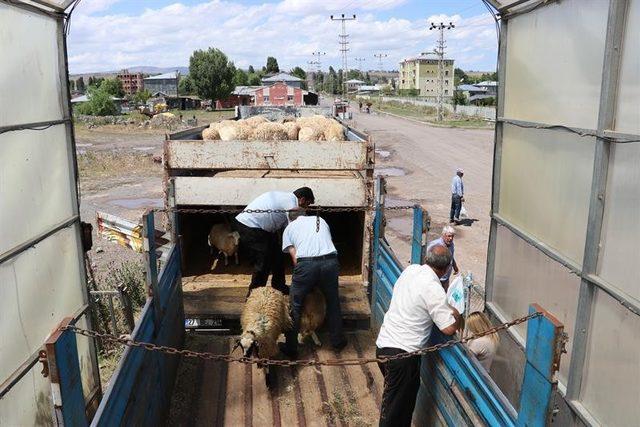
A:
264	317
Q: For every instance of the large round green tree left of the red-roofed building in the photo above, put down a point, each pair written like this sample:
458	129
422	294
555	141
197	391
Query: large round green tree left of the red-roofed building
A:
212	74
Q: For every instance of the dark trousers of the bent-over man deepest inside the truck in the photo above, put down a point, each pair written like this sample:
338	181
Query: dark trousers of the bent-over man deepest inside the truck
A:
265	255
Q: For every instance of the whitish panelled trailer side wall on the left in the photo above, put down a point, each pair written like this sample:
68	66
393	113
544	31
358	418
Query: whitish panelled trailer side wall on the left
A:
42	278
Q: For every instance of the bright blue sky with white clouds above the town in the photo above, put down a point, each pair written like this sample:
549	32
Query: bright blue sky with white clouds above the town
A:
108	35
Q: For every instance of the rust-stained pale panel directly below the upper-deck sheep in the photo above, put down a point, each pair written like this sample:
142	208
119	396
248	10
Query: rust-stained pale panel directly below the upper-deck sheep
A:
317	155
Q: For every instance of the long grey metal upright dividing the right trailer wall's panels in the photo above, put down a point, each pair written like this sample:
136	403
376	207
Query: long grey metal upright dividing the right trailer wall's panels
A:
606	118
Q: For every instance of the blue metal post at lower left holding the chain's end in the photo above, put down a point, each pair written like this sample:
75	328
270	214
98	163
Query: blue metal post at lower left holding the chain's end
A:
66	381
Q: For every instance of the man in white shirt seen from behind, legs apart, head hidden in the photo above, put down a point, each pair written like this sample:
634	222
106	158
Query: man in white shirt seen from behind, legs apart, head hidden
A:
308	240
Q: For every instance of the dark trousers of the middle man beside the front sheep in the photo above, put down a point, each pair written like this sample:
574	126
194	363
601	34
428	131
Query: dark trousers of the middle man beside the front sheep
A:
308	274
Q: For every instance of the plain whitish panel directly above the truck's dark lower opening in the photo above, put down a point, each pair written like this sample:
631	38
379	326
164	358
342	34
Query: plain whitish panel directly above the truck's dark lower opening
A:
239	191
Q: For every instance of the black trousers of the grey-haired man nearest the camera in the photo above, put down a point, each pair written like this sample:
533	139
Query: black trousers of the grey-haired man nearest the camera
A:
401	384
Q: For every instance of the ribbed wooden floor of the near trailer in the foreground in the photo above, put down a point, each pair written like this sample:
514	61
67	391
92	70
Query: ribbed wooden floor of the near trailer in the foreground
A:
234	394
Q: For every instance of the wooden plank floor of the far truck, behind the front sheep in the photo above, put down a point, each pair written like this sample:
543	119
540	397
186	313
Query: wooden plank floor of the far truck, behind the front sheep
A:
223	296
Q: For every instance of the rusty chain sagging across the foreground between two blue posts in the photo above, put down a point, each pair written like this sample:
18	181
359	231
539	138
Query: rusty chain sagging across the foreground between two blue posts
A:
302	362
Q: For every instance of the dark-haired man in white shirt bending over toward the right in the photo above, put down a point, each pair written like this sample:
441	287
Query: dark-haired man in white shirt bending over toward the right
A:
259	234
